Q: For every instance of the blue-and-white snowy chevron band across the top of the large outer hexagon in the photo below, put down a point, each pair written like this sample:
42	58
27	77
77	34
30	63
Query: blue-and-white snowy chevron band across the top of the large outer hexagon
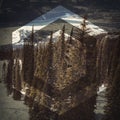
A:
57	13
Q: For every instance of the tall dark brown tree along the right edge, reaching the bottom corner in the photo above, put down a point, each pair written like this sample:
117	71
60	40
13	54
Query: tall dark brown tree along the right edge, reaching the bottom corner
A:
112	109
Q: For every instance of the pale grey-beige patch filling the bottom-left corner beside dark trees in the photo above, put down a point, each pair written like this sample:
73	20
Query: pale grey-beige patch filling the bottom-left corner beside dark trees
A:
9	108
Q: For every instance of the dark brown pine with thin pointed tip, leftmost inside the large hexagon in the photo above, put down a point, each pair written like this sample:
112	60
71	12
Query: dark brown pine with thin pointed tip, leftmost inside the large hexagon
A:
28	62
